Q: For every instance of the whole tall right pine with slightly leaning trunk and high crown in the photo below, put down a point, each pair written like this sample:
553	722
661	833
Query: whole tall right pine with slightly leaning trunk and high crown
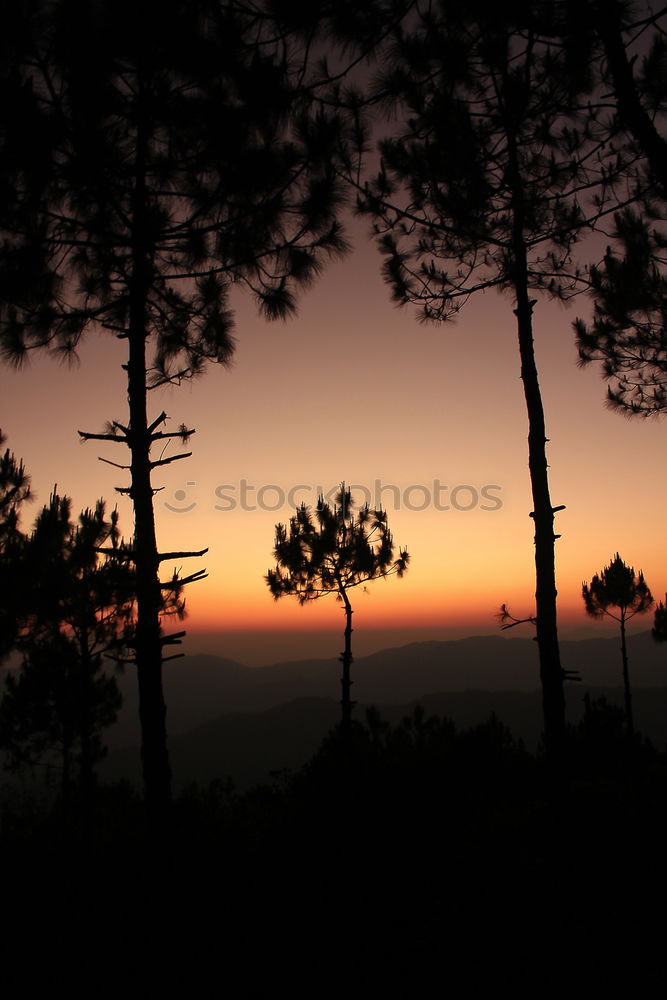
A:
486	186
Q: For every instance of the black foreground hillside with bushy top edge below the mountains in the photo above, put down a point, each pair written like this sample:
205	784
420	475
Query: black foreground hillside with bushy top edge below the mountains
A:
410	859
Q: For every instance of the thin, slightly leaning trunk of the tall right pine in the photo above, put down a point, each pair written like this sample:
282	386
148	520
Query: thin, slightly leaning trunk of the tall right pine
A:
551	673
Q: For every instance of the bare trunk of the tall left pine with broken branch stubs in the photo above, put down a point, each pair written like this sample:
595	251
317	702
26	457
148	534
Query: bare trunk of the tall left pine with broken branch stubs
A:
148	643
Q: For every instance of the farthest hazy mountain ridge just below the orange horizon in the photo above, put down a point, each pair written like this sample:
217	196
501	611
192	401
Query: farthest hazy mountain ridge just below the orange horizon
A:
203	687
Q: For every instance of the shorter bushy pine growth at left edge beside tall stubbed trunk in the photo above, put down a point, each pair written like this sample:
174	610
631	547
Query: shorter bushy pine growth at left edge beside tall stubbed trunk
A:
77	607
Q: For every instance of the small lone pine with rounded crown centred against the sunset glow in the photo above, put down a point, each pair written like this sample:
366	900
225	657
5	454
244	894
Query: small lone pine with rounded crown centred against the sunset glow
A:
333	553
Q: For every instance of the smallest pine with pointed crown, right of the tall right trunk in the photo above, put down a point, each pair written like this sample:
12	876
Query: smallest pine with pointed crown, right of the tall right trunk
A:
618	587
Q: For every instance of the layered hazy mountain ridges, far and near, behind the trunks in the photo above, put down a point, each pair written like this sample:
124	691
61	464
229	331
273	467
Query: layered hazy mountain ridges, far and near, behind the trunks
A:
226	719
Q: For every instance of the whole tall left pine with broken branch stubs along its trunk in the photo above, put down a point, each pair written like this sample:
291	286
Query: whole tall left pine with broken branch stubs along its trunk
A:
182	160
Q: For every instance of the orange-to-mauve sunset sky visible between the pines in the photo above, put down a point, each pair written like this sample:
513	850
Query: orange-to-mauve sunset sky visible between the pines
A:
356	389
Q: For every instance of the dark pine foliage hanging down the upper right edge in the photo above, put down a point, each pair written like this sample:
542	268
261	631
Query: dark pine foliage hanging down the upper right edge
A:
629	287
